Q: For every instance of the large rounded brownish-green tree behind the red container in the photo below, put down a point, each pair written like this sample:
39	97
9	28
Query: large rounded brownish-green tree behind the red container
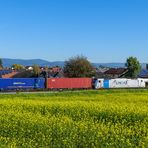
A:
78	66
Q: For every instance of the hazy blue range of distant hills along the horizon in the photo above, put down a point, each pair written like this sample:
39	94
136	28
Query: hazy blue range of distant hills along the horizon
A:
8	62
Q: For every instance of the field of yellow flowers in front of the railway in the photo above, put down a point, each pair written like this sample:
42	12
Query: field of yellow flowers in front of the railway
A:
102	118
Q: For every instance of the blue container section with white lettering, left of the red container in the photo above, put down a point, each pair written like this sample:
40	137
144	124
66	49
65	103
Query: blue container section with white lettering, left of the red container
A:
22	83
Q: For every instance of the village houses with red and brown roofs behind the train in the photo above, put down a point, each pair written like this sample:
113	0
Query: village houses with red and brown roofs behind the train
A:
57	72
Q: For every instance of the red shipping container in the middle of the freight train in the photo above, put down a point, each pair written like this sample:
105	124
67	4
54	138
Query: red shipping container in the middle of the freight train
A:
69	83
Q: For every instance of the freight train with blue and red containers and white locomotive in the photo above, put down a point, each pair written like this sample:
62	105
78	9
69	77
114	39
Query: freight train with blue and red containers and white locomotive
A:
69	83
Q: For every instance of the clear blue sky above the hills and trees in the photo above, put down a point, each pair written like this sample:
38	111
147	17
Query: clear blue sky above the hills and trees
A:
102	30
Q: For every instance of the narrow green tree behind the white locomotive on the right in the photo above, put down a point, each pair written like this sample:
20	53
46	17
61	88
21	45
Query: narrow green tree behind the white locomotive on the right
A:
133	66
